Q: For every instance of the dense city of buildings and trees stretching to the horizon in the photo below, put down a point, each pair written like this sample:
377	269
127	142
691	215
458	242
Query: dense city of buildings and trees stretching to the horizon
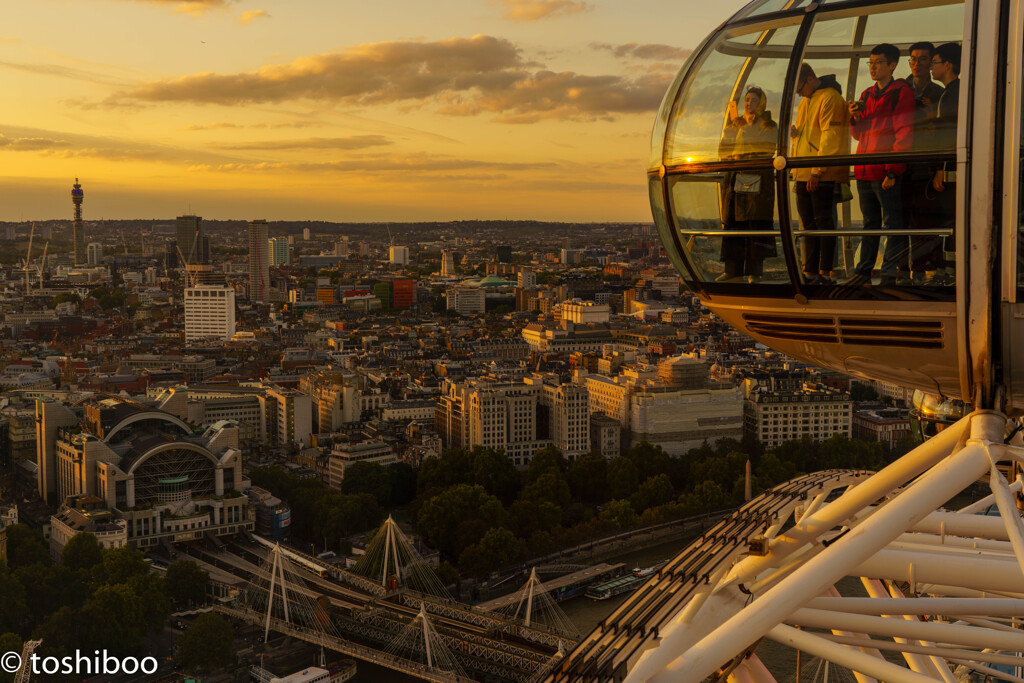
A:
506	393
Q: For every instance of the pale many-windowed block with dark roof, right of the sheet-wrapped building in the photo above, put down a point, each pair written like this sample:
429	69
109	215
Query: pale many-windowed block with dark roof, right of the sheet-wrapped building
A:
815	411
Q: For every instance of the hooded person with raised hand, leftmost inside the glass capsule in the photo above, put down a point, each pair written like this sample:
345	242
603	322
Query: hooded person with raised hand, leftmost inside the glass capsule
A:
749	197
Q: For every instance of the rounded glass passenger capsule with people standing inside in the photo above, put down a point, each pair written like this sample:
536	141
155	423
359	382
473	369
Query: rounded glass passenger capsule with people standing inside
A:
839	180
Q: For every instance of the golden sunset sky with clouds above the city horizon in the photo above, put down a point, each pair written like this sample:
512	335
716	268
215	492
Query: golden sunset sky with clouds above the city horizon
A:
335	110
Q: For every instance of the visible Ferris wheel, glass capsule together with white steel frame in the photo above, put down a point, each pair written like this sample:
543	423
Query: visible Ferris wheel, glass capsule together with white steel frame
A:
841	181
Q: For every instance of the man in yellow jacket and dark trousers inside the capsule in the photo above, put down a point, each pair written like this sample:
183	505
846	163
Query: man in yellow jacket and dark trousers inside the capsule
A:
821	131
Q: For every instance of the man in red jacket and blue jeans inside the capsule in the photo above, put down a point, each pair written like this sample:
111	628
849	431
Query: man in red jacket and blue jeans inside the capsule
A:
882	121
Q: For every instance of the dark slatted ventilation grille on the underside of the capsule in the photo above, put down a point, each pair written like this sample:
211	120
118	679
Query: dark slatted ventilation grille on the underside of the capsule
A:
863	331
